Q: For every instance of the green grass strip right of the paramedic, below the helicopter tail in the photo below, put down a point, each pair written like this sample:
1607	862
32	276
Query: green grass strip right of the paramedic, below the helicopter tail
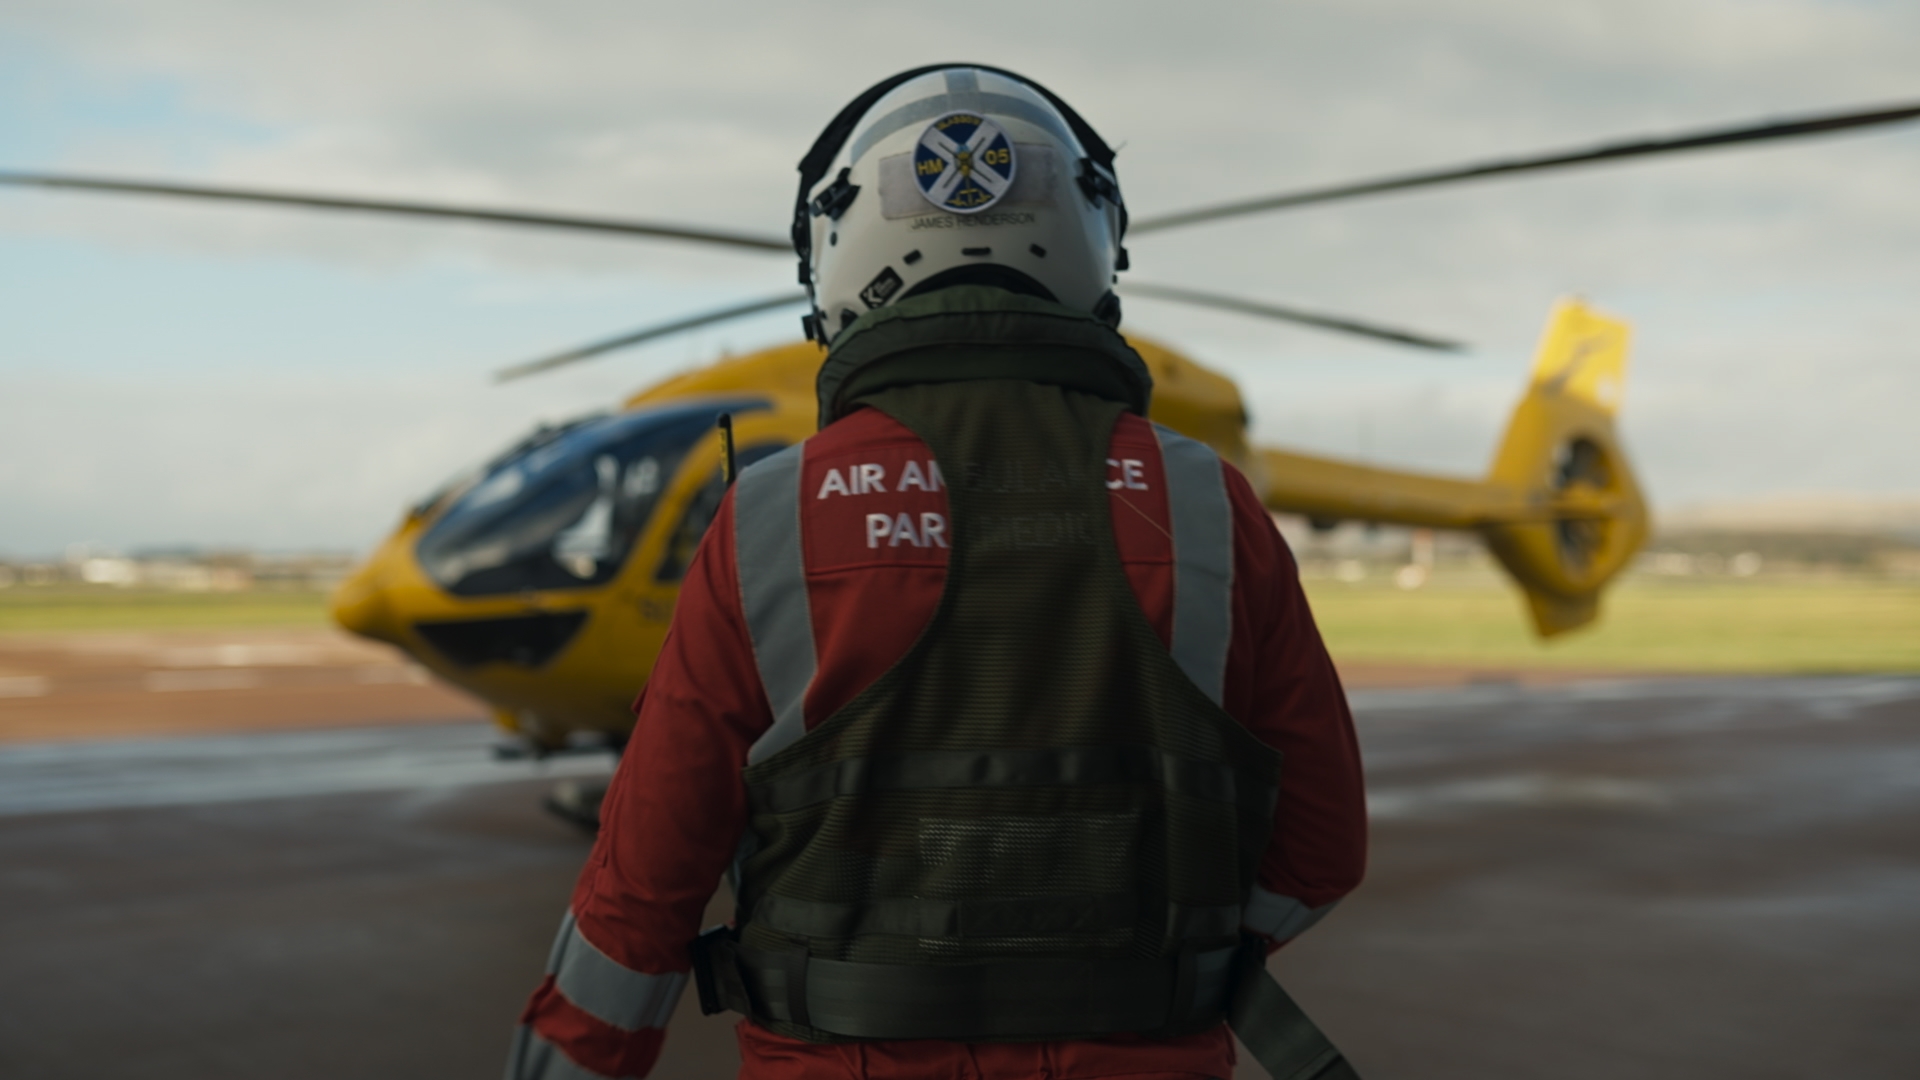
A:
1727	626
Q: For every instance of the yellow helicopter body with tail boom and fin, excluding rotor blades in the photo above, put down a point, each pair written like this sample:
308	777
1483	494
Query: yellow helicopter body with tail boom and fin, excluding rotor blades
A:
564	652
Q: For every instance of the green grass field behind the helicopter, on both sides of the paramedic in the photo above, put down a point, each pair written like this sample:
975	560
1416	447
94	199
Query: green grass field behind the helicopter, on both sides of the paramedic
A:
1729	626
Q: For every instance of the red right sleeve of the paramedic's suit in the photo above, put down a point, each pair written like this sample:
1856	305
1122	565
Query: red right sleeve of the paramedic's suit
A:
1284	687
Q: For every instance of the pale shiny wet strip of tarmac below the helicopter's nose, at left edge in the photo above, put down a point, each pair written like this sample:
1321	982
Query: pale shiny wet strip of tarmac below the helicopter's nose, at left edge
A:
218	770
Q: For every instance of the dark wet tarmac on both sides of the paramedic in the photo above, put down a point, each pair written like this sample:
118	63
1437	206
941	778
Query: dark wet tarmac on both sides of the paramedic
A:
1660	881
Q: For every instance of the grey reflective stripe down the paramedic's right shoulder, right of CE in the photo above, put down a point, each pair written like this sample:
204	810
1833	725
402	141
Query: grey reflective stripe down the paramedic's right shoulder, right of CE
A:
1203	560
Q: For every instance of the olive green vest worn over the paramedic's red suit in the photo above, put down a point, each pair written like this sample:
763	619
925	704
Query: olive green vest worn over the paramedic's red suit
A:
1036	825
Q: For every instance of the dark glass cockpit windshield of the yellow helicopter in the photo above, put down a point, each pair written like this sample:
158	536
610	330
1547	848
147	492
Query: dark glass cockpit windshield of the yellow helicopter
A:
565	510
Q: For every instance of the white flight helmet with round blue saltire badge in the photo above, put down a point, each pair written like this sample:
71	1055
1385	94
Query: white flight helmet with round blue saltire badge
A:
957	174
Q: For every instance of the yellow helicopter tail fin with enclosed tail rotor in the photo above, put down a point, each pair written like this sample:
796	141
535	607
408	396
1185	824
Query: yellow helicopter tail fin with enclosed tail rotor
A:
1579	514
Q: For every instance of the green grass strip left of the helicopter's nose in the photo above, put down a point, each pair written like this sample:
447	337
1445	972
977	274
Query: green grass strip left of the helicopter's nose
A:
51	610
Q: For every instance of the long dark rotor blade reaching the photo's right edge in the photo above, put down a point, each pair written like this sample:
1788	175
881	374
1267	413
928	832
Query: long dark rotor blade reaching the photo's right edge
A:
1610	153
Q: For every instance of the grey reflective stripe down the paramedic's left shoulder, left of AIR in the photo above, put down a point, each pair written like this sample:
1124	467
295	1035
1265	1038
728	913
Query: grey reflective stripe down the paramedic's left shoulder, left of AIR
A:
773	593
